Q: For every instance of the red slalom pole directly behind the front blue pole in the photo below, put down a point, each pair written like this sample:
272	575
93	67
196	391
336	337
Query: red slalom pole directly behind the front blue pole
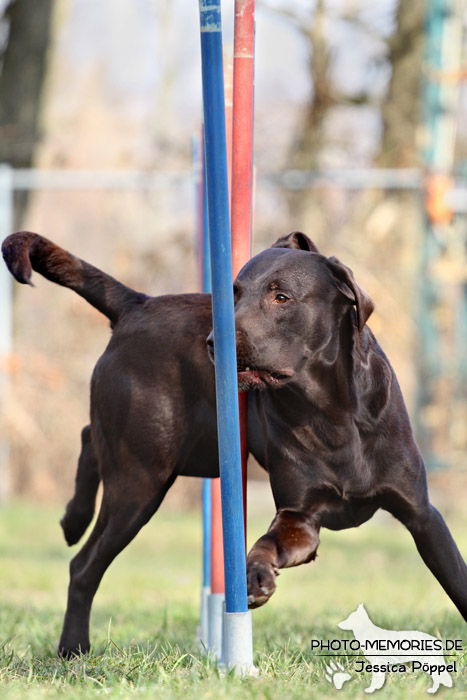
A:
242	167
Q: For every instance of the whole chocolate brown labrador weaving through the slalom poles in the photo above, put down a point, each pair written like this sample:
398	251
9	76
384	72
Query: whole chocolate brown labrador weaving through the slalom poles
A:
329	422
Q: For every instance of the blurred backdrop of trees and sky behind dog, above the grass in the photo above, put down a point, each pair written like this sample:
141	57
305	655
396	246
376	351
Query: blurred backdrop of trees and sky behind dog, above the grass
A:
341	86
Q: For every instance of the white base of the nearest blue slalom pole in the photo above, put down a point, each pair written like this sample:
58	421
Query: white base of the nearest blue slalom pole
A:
238	643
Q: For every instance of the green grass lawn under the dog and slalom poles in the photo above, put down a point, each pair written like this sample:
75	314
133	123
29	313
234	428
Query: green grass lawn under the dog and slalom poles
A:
146	611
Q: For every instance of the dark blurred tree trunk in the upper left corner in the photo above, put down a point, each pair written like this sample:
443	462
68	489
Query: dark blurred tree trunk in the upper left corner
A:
21	82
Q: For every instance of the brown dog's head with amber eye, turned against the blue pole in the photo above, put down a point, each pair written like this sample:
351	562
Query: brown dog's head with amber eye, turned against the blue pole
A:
290	302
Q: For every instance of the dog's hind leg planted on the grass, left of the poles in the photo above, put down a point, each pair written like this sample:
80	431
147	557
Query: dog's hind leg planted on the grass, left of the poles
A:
127	504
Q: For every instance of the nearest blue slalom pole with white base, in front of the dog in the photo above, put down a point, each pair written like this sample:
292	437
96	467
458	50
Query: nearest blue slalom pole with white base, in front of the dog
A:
237	650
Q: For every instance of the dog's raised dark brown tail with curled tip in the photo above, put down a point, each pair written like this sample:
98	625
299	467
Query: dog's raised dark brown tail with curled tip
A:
25	251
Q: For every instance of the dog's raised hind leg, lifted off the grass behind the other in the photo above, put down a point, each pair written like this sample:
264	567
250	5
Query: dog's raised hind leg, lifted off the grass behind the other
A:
80	510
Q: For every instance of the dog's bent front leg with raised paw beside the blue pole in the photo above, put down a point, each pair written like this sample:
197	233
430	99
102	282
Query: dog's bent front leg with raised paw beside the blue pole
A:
292	539
